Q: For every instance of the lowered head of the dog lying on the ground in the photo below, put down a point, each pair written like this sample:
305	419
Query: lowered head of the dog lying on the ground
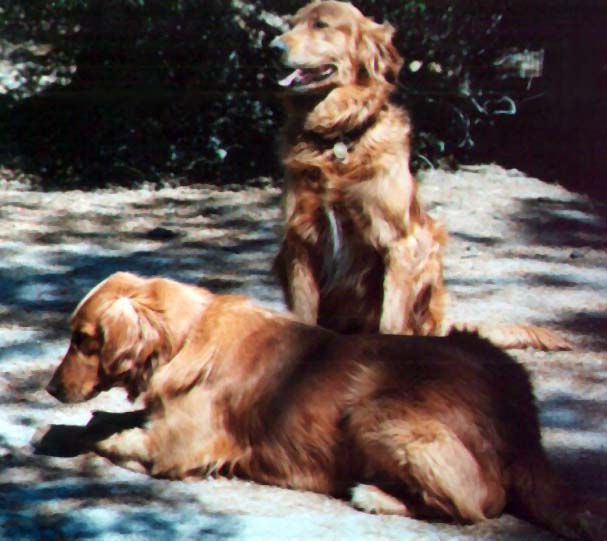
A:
121	331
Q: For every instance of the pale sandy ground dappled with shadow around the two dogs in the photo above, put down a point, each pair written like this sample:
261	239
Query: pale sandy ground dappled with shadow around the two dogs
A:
520	251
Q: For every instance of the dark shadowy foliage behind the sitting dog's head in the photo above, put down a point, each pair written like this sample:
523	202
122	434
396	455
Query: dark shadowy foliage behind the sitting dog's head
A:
131	90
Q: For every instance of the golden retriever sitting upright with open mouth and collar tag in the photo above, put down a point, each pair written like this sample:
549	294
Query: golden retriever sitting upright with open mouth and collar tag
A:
359	254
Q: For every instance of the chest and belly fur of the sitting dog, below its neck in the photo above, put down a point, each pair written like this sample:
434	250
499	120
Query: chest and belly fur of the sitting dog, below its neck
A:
347	198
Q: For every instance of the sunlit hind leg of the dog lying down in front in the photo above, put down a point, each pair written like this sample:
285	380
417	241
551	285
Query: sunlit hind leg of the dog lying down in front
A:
426	460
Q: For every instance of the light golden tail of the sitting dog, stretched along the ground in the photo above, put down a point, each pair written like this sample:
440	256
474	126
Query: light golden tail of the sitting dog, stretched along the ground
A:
518	336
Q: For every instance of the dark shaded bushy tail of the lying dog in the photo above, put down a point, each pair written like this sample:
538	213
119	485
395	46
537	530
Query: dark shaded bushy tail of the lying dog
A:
540	497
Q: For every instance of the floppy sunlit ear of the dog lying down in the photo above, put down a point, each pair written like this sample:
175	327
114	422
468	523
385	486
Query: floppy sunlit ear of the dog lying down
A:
134	338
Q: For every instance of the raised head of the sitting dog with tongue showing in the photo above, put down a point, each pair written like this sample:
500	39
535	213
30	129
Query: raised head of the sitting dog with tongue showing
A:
333	44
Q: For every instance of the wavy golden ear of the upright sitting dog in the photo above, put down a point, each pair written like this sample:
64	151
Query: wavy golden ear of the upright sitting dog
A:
379	59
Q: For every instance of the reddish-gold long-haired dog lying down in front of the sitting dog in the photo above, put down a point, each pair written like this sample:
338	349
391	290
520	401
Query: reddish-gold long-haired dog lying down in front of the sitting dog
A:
439	427
